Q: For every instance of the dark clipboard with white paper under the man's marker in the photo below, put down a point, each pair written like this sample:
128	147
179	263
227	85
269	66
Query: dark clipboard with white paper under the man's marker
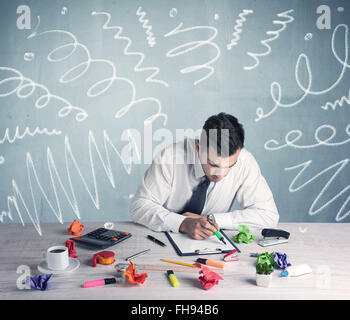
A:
186	246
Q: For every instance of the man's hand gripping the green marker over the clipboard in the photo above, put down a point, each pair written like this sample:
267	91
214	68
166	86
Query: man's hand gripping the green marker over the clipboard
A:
197	226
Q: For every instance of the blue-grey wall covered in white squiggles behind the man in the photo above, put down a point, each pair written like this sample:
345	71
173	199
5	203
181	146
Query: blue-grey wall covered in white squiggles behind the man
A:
76	75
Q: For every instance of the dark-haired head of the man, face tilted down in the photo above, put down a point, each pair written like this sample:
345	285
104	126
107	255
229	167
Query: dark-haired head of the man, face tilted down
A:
220	143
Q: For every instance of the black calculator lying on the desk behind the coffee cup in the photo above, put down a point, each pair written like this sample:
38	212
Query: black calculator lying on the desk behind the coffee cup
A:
101	238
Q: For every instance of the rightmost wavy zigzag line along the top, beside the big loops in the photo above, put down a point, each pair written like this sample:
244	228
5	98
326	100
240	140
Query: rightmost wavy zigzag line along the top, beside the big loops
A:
275	34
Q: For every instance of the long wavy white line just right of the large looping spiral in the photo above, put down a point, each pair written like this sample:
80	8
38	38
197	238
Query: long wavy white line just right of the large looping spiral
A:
118	36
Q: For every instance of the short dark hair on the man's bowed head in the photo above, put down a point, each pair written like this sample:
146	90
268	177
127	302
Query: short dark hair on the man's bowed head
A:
228	133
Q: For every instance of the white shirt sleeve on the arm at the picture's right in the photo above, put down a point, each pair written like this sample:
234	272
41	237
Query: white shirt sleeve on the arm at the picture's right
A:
256	200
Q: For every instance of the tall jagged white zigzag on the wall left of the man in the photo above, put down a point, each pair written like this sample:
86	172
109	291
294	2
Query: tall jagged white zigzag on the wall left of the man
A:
56	181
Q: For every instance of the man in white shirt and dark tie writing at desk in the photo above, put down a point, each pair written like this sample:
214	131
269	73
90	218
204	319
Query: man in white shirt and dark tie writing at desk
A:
205	175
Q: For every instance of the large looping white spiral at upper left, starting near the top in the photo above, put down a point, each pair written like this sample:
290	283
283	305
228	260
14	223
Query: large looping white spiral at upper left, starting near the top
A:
100	86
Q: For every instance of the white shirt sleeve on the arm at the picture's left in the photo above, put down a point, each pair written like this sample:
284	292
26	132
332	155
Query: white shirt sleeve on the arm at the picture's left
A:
147	207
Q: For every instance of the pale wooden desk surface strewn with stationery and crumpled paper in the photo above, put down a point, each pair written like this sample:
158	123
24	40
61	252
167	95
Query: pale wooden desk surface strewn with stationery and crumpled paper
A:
324	246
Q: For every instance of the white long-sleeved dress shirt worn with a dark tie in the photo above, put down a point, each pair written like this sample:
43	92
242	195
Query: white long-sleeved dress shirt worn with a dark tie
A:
168	183
